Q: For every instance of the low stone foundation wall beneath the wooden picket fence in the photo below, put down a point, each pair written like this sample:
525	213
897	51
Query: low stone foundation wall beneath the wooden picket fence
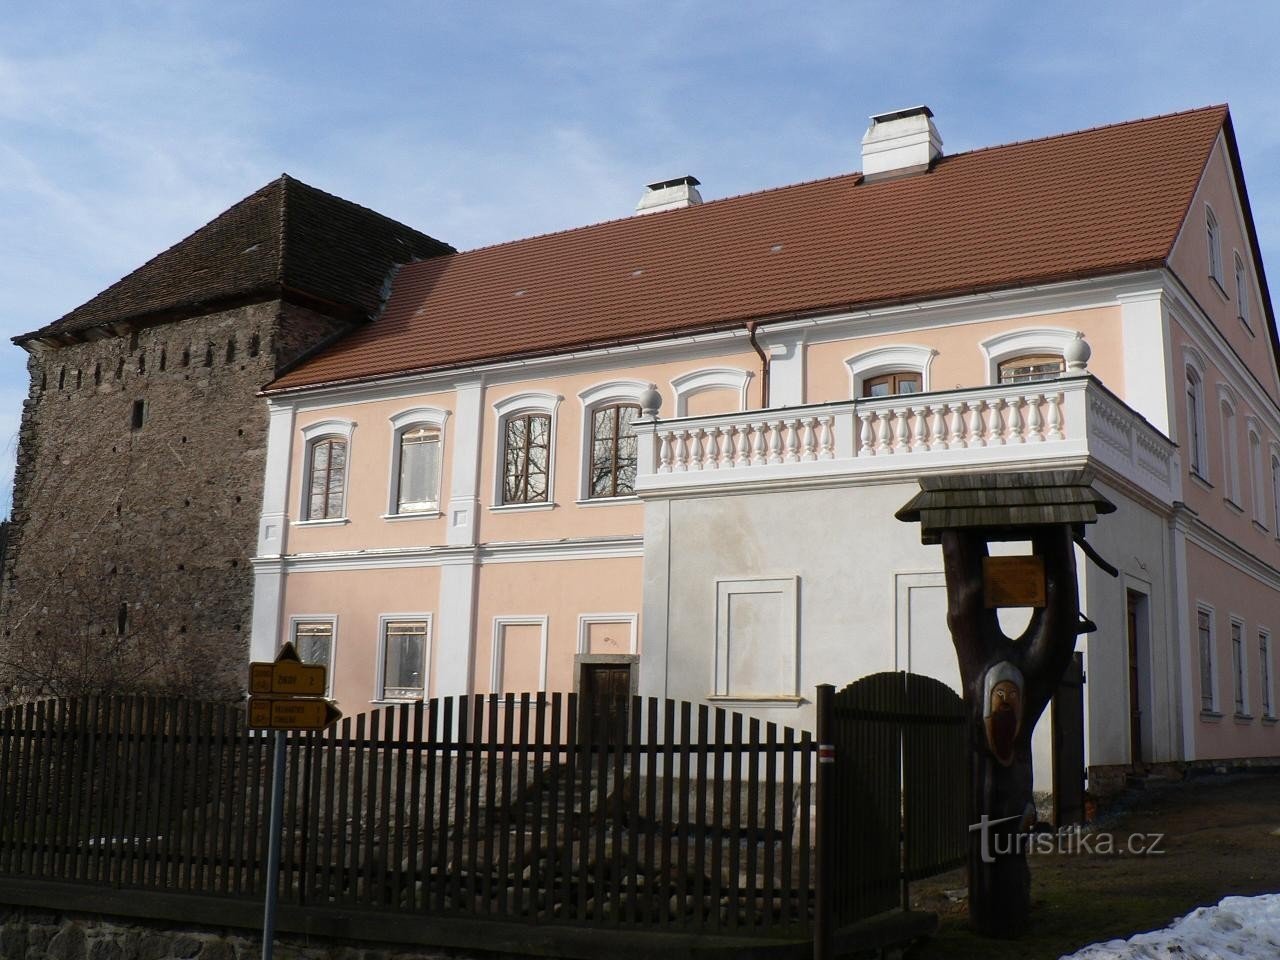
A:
29	934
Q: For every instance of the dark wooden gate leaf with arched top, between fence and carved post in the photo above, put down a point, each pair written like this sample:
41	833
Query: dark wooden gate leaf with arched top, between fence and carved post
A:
900	774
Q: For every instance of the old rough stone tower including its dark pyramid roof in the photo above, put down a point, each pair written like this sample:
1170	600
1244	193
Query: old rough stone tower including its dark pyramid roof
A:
143	442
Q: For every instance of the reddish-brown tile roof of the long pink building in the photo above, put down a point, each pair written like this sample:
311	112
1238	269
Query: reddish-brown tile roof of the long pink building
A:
1076	205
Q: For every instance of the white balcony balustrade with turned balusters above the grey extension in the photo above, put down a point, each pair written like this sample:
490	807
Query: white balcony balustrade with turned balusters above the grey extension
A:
1059	423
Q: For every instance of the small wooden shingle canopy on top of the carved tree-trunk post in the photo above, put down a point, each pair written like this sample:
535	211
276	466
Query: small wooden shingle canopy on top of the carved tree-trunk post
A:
1004	505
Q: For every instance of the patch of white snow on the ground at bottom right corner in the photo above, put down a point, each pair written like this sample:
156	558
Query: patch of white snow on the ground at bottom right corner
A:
1238	929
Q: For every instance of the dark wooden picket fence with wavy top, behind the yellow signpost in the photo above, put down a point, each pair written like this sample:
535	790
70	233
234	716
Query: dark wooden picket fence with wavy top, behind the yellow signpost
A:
527	810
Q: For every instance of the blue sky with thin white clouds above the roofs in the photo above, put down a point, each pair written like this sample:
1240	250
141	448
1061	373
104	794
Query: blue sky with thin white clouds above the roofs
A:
126	126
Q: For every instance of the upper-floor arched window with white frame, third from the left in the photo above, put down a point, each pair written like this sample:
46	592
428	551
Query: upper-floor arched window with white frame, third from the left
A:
527	429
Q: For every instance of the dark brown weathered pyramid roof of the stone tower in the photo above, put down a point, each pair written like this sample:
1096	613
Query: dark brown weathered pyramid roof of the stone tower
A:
287	240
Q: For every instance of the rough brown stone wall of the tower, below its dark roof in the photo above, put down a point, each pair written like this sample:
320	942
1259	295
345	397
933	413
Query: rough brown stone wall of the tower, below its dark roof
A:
129	564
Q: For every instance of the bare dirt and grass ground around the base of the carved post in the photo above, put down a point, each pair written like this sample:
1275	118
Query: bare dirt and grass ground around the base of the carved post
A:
1222	839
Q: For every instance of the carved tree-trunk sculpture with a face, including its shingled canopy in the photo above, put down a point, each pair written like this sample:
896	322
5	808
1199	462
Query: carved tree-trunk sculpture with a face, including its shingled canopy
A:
1008	682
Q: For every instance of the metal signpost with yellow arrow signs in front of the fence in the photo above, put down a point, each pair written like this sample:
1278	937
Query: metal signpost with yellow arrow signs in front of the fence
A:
286	694
